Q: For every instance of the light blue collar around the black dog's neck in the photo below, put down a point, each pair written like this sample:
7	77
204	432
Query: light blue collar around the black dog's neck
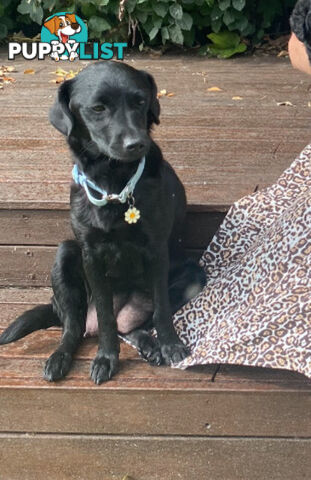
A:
81	179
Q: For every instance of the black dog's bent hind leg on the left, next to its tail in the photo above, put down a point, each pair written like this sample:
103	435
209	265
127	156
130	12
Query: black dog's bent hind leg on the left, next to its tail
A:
70	303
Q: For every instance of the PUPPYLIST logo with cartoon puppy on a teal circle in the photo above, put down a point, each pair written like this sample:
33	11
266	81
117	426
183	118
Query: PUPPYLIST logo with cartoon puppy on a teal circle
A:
64	37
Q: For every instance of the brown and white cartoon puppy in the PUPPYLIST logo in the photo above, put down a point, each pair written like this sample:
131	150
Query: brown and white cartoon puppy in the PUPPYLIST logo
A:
63	26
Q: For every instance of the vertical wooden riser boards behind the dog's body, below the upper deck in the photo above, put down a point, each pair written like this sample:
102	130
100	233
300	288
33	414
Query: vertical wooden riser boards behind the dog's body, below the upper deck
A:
29	238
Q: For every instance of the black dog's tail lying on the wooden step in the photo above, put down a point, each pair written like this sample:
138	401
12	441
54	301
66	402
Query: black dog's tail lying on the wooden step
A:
37	318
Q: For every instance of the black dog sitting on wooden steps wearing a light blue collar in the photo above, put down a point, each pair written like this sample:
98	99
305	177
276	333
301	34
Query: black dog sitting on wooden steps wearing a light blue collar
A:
133	273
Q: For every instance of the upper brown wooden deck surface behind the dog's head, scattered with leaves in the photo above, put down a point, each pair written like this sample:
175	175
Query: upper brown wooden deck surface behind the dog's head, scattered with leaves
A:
222	149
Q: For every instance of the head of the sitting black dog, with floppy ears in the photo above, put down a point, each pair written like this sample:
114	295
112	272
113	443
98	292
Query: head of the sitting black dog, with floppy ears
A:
109	109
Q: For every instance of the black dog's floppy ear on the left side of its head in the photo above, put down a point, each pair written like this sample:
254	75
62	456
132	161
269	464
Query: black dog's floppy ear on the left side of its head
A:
60	115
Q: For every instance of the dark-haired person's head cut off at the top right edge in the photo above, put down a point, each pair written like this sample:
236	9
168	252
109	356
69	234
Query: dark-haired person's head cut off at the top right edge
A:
300	22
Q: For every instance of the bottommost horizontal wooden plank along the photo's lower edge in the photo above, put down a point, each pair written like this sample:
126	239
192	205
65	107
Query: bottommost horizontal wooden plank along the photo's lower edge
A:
152	458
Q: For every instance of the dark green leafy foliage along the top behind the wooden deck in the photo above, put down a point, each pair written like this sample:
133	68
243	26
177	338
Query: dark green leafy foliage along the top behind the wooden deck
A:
218	25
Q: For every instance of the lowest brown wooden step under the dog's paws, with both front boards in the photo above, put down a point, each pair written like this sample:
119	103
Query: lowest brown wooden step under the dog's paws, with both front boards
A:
151	422
